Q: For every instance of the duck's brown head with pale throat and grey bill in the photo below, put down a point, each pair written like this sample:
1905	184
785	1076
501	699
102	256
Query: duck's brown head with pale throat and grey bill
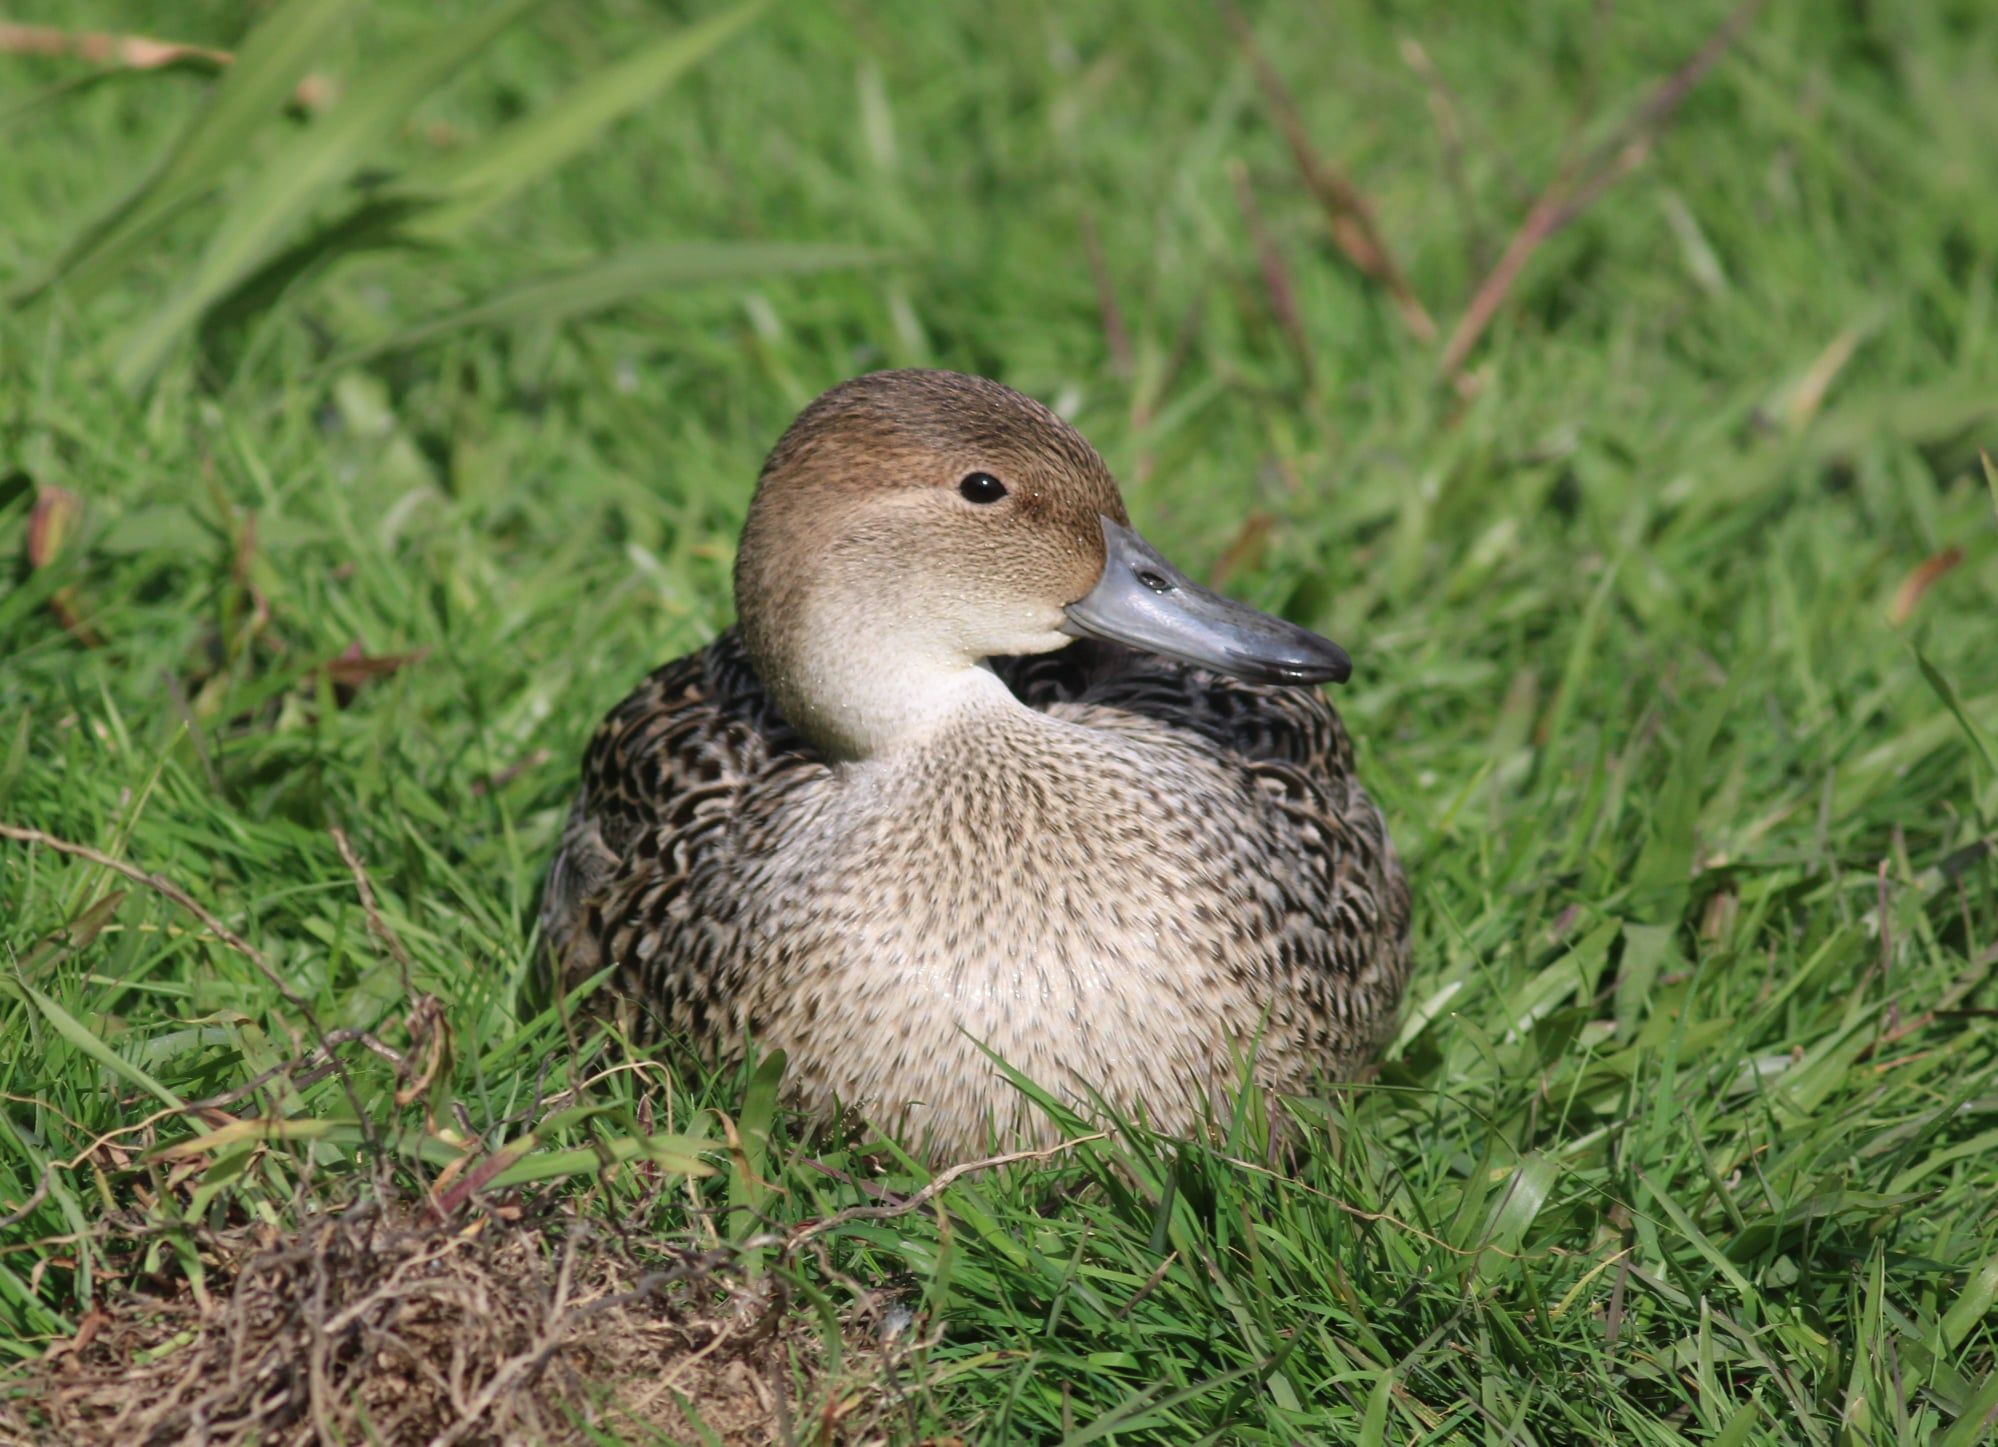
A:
914	525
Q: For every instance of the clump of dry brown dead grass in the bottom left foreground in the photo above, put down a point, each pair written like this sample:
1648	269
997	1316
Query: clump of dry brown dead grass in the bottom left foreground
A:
379	1326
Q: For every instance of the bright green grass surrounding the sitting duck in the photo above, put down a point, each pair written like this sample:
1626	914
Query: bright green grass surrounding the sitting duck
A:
1693	1128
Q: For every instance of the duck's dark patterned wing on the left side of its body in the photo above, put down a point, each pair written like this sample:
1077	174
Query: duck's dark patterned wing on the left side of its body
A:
674	756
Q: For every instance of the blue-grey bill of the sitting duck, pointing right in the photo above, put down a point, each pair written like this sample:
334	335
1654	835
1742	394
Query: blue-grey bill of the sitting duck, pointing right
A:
1146	603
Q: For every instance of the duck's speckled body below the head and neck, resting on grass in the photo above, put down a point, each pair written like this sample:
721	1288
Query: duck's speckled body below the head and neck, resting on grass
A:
1124	890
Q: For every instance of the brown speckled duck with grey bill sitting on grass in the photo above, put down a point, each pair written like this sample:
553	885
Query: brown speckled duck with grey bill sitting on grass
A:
980	780
